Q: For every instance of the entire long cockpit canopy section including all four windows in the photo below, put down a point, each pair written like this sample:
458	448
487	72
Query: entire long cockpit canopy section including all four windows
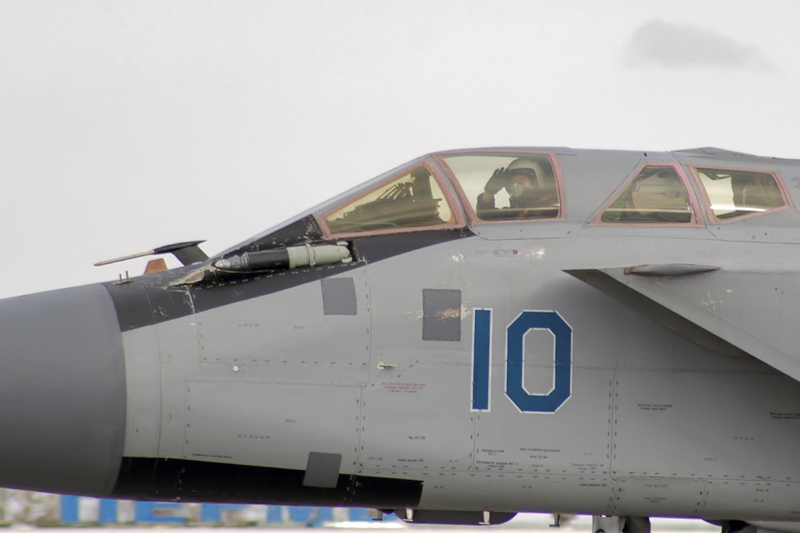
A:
480	188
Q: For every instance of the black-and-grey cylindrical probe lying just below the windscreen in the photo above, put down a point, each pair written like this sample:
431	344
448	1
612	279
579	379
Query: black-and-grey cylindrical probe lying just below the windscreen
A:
287	258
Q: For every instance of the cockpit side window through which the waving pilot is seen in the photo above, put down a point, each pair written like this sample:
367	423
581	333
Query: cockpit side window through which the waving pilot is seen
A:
507	187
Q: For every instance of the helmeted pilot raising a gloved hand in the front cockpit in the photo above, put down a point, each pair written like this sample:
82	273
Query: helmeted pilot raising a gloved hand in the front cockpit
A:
521	184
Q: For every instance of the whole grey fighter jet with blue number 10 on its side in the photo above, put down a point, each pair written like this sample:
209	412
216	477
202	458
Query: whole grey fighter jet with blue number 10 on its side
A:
473	334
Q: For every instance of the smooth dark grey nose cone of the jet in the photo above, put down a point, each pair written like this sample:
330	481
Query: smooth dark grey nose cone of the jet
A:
62	392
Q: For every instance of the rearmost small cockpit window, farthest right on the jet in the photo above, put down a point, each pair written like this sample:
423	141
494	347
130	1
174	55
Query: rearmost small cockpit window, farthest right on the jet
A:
736	193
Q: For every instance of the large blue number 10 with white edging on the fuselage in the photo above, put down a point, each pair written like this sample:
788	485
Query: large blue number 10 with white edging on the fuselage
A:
515	361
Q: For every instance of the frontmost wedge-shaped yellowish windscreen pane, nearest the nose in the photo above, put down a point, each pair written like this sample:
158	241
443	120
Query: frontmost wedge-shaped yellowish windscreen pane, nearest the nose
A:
413	200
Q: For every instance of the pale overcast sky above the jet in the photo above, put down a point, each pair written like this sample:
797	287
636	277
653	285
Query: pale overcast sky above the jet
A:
126	126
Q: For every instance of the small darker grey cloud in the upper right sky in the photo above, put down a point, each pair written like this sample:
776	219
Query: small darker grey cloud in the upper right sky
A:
676	46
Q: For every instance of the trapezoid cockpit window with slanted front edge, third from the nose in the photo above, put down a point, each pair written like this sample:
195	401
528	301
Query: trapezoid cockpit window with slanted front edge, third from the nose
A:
656	195
